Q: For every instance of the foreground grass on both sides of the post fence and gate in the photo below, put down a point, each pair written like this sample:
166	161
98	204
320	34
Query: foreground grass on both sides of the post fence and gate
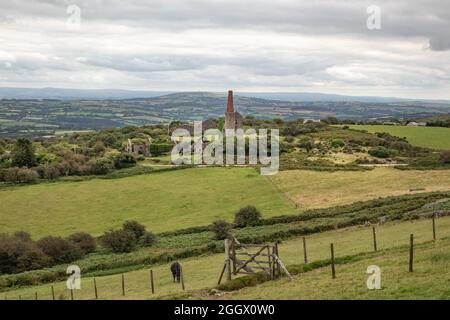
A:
202	272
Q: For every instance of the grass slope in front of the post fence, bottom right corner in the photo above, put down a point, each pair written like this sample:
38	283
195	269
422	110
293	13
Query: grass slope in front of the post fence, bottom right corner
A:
430	279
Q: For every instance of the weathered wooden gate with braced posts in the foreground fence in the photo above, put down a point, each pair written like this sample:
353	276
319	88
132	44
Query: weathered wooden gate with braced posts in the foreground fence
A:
251	258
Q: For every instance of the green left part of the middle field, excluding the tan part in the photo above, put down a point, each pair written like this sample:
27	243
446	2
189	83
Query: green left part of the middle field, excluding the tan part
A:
161	201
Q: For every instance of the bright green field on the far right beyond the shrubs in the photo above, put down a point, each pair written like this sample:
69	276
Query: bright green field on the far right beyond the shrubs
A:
432	137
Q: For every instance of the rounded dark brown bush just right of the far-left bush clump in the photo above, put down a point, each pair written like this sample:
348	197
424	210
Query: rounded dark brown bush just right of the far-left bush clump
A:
59	249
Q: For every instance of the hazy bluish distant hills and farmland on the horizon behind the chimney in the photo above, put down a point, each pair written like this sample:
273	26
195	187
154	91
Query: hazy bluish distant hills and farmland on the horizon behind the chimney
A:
49	116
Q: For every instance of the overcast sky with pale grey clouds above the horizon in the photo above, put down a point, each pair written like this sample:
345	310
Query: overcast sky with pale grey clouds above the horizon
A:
213	45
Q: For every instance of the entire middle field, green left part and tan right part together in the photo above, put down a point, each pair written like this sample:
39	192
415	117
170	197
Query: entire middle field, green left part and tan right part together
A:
193	197
